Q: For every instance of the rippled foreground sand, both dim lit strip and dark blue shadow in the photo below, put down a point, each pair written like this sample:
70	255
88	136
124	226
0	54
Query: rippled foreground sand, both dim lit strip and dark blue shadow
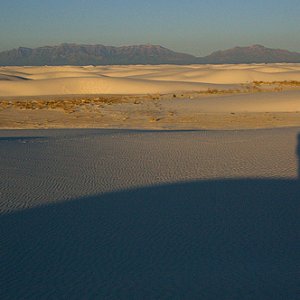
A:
118	214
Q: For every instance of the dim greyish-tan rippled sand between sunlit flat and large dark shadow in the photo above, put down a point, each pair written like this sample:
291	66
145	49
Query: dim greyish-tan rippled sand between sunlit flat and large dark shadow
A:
44	166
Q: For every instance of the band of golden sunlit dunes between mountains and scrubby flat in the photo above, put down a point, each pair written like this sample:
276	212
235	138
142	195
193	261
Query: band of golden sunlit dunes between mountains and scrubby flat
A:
136	79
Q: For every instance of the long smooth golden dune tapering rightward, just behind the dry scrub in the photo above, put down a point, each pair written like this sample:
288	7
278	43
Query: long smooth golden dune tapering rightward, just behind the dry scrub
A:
98	85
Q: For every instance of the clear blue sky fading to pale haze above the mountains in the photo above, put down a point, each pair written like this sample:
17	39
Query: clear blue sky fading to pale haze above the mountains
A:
198	27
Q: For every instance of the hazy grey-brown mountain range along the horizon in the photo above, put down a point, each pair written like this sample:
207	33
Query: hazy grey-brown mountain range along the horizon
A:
75	54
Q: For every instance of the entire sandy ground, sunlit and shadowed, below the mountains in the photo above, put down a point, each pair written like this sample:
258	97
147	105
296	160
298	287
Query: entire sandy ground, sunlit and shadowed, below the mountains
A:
150	214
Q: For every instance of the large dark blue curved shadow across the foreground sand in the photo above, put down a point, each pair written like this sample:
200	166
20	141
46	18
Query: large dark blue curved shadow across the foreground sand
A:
218	239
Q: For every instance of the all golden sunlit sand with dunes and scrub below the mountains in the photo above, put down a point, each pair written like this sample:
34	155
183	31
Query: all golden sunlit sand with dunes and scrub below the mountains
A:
151	97
